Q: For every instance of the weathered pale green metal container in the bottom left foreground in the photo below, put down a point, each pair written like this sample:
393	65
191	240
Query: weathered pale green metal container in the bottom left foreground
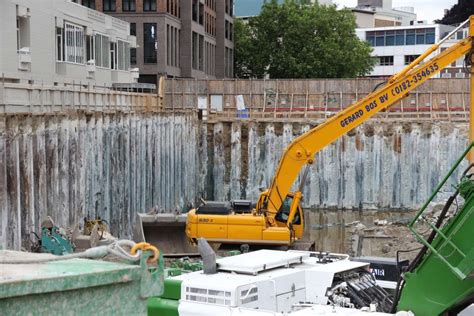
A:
76	286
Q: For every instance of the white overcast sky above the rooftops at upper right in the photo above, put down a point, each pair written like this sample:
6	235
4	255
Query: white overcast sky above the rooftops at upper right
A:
428	10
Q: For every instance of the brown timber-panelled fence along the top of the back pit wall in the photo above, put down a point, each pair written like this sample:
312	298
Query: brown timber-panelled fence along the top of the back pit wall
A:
437	99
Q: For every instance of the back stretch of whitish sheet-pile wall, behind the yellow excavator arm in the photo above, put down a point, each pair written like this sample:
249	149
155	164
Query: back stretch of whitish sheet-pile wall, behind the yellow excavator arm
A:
390	166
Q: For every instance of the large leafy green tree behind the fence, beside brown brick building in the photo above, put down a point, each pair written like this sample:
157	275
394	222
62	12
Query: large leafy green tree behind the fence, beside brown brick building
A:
297	39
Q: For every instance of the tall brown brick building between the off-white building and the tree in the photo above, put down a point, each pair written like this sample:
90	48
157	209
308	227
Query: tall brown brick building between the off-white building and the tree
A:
177	38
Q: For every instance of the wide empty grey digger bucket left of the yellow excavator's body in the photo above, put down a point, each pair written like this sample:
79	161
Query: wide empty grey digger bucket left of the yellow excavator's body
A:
166	231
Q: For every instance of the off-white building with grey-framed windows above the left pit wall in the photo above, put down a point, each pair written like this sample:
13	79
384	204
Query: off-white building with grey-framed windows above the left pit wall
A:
58	41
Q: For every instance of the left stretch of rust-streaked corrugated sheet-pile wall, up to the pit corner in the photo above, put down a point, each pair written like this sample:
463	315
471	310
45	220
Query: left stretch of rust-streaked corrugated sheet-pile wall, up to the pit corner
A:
111	165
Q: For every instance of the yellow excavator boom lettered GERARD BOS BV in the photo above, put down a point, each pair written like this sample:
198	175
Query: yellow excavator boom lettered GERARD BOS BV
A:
302	150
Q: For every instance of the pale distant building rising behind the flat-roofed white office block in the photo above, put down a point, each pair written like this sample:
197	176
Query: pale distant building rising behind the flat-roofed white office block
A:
379	13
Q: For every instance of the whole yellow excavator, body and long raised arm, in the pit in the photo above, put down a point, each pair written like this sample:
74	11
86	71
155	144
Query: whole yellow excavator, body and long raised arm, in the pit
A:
277	218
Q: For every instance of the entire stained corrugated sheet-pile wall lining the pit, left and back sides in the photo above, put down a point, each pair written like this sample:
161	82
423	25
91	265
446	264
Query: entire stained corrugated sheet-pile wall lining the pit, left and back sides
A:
75	153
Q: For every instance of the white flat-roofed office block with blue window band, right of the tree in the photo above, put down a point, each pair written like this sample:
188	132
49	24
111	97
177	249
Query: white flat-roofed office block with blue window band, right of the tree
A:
397	46
